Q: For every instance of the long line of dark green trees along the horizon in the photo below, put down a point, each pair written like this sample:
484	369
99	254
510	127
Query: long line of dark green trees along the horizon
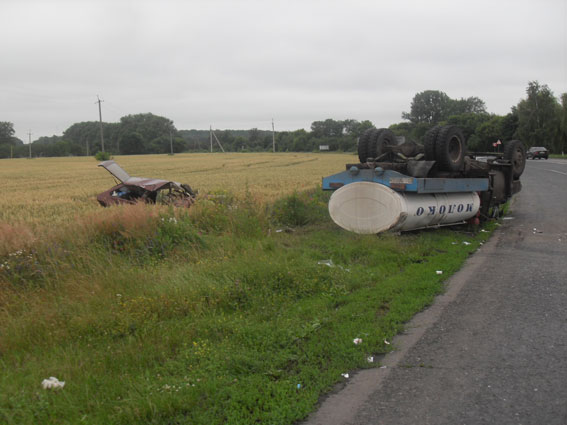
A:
538	120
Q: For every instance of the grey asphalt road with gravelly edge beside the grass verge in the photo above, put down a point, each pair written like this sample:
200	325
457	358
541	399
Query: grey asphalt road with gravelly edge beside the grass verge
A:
493	348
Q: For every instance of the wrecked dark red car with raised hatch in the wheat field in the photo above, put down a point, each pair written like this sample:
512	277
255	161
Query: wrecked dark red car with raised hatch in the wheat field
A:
138	189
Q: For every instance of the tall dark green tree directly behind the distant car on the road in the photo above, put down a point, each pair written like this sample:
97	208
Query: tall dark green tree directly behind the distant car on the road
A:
539	117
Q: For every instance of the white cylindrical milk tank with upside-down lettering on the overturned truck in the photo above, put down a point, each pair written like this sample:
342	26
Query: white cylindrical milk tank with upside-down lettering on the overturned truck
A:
367	208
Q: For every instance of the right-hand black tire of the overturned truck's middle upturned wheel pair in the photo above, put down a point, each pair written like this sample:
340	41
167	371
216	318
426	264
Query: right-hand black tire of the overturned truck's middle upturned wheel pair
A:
450	148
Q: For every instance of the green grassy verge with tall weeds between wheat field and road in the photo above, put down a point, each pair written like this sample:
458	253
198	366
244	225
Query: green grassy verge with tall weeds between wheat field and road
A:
232	313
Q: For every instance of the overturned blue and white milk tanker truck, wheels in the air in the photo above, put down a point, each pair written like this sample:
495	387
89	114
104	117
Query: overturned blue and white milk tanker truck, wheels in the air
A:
403	185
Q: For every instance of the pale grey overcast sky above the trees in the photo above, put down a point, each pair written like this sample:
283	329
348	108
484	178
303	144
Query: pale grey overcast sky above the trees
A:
236	64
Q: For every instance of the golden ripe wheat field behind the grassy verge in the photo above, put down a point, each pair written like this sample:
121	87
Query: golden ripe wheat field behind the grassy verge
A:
54	191
